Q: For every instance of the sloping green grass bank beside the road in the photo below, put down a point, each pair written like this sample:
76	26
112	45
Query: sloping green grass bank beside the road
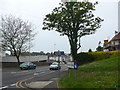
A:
99	74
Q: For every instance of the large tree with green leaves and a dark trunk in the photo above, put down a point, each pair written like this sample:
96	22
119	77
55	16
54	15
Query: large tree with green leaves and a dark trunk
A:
73	19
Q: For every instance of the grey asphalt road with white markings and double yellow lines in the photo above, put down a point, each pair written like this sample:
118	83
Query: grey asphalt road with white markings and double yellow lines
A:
16	78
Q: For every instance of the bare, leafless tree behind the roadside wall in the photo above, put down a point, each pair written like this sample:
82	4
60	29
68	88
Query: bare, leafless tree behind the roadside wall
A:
16	35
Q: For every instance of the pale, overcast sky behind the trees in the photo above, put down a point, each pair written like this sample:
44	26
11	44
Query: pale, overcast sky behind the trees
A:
34	11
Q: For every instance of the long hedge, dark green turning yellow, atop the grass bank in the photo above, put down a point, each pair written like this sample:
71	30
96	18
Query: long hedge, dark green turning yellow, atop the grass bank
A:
88	57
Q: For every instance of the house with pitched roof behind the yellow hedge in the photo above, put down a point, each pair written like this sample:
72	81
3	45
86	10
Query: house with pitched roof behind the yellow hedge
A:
113	44
